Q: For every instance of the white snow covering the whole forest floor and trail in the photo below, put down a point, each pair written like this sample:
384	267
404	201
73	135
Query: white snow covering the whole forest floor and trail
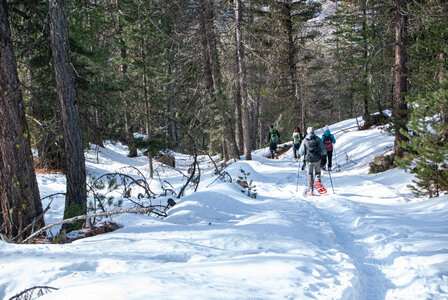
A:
370	239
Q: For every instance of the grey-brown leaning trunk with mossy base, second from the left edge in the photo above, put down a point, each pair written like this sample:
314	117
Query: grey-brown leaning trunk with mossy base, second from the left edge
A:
76	198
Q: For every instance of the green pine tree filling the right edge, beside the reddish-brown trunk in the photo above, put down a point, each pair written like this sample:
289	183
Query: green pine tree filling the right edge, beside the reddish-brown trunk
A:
427	149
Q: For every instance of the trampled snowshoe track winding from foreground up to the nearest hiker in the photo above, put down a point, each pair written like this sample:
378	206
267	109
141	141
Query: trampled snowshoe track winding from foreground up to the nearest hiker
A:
327	212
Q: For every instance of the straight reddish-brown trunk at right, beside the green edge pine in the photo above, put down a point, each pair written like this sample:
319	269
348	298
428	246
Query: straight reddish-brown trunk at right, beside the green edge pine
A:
401	75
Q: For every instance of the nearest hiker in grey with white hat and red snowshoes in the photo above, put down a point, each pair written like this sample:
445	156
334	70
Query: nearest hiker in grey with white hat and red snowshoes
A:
314	150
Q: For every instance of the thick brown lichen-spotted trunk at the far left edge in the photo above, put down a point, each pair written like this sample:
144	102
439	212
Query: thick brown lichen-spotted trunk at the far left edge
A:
19	192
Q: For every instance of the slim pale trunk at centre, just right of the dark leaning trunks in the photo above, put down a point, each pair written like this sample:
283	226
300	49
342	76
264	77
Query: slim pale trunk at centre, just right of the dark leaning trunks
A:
242	82
